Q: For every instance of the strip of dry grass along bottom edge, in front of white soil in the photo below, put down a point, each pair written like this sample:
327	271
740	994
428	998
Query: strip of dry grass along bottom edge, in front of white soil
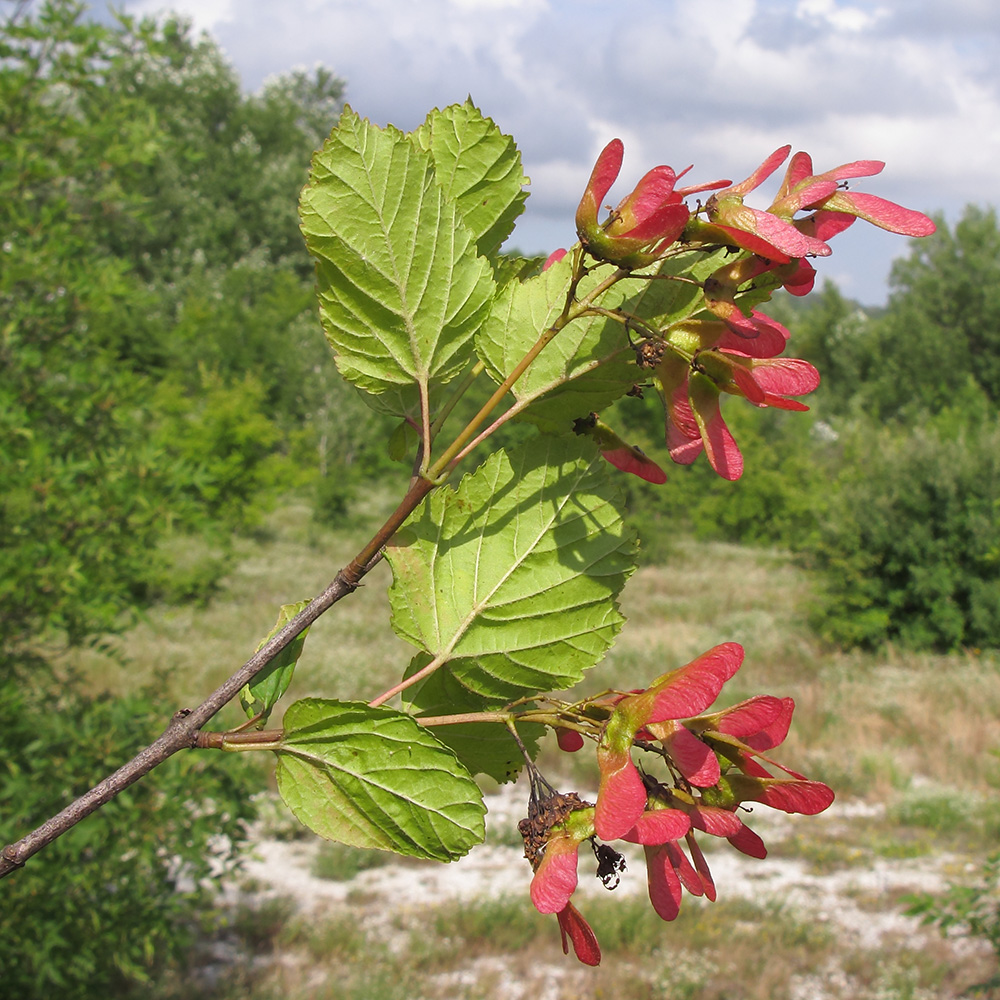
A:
503	950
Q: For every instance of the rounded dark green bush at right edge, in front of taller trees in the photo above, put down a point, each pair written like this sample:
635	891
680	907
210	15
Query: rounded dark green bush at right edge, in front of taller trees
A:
909	542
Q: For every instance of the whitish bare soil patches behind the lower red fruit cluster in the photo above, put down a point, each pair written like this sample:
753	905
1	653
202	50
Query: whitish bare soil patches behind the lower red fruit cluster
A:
859	902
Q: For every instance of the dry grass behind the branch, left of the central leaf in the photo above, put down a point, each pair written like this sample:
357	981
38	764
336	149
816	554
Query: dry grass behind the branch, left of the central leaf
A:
350	652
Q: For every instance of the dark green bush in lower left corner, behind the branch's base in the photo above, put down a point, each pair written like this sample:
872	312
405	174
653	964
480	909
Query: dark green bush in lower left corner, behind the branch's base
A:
118	898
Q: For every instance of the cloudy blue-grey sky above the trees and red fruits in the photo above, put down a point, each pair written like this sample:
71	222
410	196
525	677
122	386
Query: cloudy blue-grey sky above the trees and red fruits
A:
716	83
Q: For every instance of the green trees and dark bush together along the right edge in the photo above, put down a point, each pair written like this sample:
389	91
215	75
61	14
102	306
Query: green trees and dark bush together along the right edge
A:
907	530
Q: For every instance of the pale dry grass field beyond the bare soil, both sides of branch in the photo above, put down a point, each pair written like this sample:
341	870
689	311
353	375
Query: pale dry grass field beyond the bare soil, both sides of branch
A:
867	724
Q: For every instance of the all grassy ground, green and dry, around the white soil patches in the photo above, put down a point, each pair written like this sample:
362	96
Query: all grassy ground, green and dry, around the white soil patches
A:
916	733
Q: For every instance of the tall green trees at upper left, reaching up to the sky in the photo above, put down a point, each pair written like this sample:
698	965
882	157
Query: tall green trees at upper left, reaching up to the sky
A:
150	254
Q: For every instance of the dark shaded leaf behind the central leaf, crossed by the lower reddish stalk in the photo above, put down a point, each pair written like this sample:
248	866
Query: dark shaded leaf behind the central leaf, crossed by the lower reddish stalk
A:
483	747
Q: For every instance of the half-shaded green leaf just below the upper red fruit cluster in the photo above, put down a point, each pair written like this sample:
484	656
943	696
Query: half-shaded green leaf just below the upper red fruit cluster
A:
589	363
